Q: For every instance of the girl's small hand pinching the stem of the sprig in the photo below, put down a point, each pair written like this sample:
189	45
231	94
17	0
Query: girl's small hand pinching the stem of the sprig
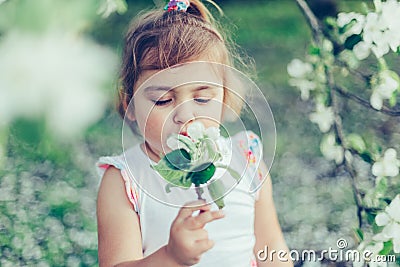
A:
188	239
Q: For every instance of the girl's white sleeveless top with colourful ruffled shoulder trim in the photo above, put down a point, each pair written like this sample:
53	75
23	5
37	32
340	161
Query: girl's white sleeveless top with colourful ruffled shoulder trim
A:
233	235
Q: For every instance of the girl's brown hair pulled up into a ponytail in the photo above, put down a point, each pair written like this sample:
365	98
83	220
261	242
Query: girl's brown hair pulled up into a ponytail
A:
159	39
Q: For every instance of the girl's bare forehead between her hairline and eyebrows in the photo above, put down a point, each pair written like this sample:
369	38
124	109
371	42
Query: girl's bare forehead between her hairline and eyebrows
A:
183	74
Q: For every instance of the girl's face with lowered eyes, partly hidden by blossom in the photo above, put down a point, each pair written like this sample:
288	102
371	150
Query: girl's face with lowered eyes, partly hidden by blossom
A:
166	102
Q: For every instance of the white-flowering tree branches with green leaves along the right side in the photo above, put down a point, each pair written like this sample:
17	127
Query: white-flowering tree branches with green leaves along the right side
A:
350	77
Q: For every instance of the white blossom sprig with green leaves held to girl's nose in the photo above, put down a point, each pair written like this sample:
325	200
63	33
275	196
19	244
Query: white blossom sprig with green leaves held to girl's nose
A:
193	161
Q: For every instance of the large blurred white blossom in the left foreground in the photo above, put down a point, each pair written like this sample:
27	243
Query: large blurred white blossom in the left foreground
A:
56	76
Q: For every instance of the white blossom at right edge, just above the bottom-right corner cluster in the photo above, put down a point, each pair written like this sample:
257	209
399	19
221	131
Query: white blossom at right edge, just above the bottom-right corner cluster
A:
388	165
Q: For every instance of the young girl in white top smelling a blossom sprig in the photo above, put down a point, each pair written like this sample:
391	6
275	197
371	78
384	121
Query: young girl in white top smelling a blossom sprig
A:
139	224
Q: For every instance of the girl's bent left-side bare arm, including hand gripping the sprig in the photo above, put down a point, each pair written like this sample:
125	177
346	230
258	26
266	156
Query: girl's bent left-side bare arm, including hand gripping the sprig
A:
119	236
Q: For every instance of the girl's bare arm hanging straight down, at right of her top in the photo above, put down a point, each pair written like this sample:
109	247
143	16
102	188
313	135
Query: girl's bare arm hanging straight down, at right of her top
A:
267	230
